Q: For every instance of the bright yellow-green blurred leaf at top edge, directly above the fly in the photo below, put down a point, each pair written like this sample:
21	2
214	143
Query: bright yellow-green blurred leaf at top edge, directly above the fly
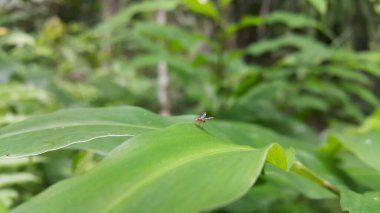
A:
205	7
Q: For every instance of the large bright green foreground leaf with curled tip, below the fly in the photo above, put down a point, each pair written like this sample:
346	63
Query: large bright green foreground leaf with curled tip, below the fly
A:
178	169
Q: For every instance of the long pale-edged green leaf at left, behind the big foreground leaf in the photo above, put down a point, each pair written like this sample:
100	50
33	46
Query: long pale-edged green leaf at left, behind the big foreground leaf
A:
63	128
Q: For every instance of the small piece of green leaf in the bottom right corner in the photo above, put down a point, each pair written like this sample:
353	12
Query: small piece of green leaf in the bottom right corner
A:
353	202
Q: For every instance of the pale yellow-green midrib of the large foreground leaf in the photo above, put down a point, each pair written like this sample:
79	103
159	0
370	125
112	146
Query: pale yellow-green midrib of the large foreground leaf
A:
163	170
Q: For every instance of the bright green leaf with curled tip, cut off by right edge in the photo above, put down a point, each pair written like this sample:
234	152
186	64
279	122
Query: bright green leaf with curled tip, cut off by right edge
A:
362	163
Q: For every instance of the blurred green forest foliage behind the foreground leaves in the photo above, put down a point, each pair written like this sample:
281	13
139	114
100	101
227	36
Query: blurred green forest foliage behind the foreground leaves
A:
297	67
